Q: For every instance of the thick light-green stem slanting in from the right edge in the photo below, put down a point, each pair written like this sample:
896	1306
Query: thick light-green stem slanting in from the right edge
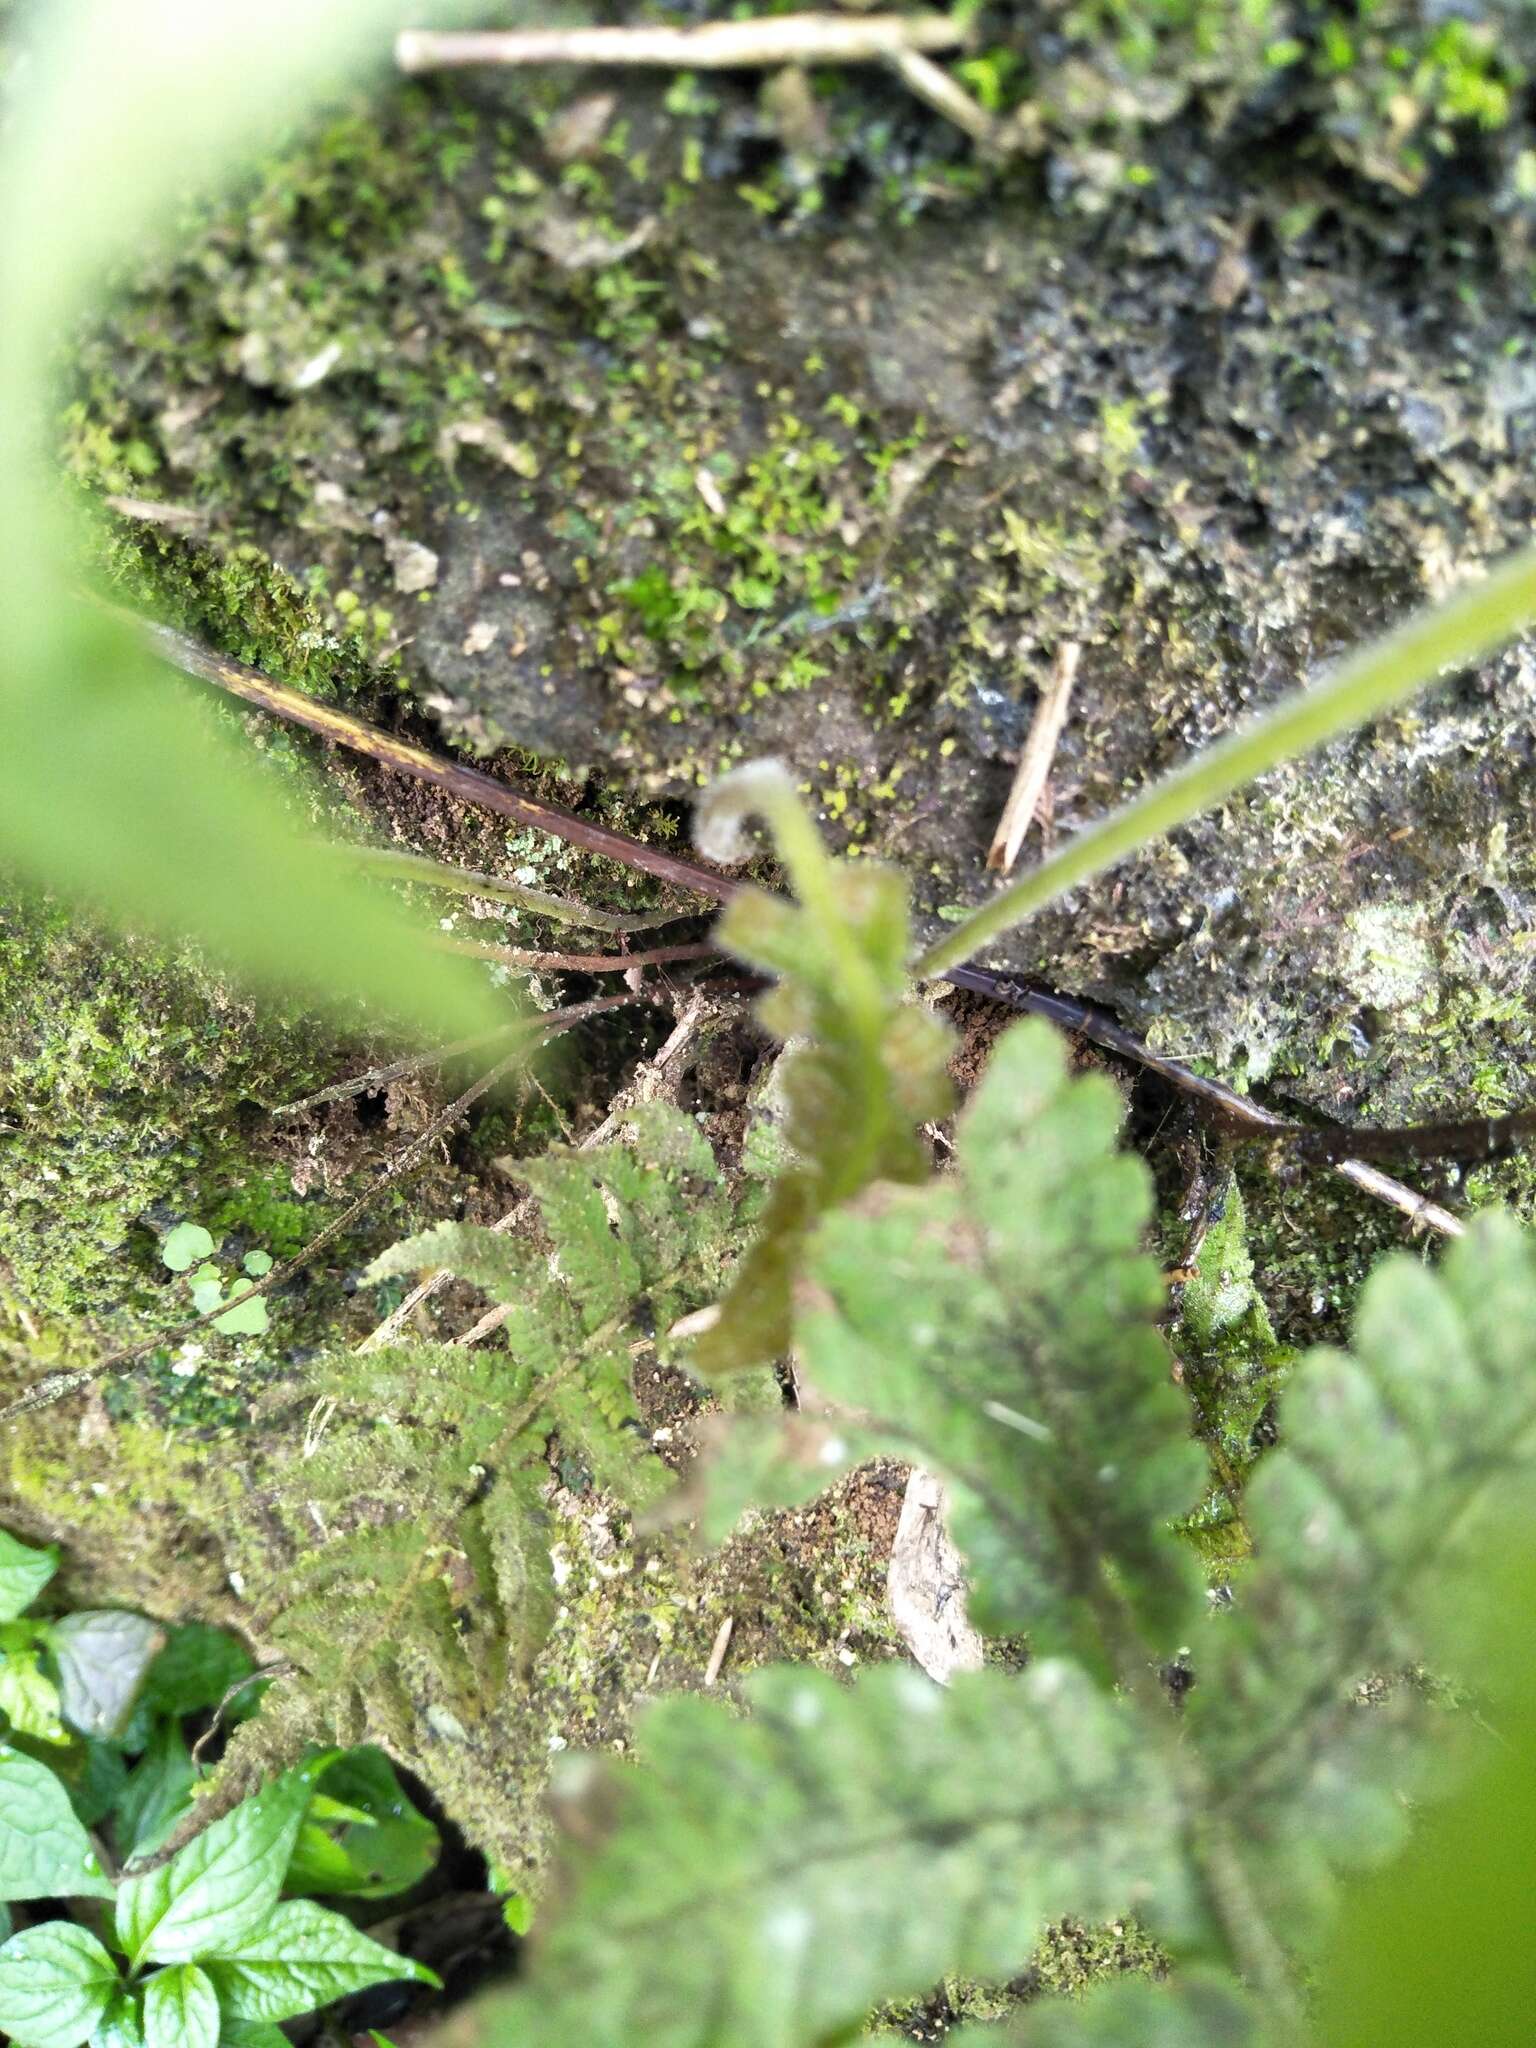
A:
1359	689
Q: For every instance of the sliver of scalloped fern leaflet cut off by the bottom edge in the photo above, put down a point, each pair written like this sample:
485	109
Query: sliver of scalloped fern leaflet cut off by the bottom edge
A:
1197	2010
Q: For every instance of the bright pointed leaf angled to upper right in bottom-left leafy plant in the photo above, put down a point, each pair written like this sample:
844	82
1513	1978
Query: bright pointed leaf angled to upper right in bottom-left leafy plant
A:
222	1885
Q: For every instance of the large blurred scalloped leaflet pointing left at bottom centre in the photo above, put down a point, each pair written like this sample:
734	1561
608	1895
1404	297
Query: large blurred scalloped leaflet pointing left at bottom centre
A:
767	1881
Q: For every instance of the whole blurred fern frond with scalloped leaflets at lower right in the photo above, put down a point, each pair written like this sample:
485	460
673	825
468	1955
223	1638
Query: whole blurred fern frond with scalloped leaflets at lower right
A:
998	1328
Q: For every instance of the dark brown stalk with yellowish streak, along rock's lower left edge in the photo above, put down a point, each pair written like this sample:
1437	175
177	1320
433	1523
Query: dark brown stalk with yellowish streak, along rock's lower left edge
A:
468	783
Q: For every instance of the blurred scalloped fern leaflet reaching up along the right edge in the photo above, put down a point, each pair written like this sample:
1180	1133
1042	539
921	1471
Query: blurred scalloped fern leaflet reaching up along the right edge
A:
1371	1525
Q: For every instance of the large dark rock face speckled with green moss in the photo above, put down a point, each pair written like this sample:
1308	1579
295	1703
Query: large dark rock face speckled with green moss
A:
624	468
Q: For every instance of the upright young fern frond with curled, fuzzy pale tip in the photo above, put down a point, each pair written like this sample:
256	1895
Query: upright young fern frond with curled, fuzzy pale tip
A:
871	1066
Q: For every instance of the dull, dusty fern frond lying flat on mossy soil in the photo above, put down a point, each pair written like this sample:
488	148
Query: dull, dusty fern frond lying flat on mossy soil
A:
431	1478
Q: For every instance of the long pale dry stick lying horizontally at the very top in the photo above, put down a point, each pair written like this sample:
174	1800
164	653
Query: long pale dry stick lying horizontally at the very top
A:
712	46
